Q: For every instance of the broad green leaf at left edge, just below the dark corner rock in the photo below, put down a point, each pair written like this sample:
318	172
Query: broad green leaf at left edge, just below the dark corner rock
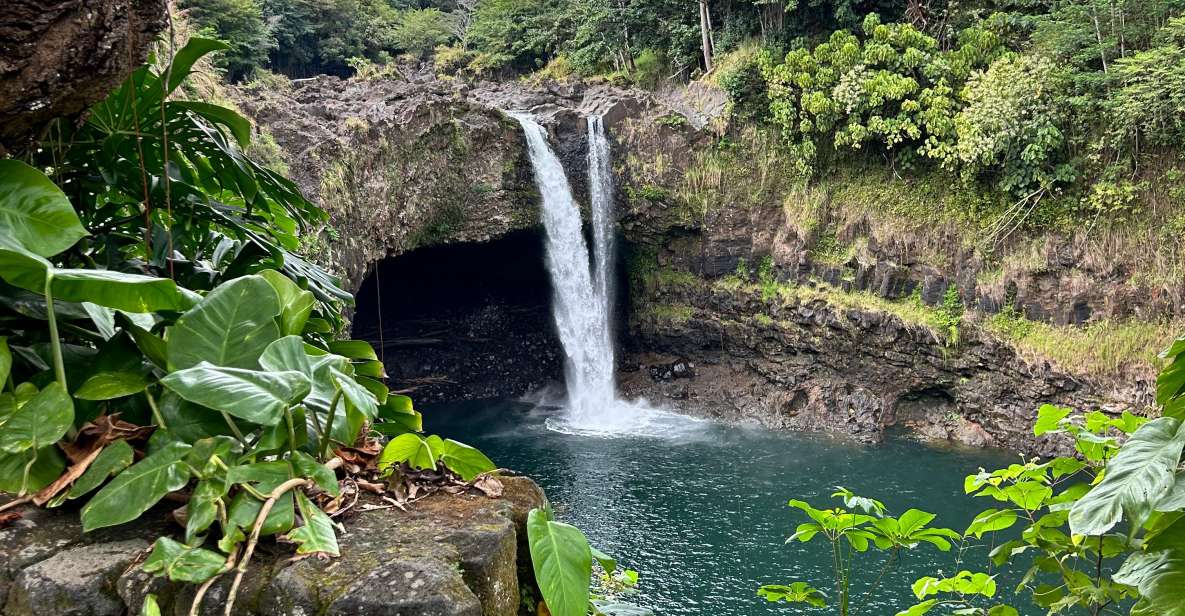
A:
35	213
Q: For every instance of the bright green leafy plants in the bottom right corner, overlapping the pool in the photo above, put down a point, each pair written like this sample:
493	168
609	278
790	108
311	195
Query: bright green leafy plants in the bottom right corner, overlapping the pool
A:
1101	531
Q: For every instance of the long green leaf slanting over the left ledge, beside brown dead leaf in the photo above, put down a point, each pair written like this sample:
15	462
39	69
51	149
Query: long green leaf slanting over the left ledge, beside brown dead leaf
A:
138	489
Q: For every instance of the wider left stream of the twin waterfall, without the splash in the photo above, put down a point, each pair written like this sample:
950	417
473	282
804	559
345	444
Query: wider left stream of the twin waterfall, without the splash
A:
580	306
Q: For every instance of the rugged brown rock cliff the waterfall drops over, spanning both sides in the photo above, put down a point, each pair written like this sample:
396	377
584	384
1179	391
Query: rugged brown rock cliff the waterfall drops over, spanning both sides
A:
403	165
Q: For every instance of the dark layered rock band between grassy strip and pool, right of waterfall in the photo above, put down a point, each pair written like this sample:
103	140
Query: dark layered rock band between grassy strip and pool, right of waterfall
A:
815	367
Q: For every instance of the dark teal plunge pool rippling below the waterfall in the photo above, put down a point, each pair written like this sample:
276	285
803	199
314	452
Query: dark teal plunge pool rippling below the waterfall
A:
701	512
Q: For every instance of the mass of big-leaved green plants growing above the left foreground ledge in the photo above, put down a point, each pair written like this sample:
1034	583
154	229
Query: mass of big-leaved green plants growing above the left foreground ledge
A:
159	335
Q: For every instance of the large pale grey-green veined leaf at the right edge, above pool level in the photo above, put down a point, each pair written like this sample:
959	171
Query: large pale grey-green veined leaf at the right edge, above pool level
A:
1137	479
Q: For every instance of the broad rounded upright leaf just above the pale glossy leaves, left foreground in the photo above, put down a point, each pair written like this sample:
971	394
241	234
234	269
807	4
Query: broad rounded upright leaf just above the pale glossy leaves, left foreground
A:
230	328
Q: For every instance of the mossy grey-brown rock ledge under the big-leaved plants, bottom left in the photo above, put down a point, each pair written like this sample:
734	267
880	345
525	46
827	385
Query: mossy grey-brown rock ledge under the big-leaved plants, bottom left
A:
446	556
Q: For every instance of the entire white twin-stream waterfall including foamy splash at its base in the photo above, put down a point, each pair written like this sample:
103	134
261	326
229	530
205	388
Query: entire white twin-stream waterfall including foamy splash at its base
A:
584	288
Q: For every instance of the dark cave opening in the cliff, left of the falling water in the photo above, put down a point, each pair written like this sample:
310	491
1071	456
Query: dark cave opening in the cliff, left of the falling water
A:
464	322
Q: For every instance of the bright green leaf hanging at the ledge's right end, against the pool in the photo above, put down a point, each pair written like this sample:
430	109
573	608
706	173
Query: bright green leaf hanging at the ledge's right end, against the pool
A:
563	563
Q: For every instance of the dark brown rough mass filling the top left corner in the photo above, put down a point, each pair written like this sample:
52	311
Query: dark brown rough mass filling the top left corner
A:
60	57
